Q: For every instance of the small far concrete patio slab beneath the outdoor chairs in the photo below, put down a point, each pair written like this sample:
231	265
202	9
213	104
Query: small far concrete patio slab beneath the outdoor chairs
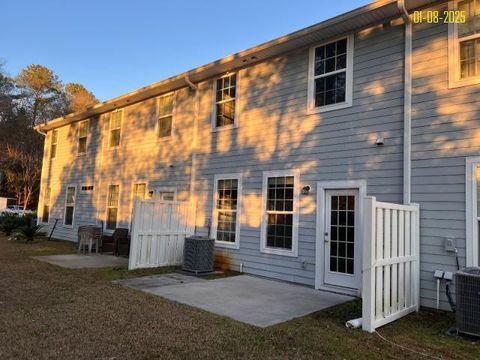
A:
76	261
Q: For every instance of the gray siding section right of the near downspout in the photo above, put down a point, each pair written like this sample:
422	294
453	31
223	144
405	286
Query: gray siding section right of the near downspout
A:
444	132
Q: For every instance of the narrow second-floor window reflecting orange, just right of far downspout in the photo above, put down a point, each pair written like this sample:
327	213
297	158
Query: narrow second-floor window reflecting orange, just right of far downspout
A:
225	98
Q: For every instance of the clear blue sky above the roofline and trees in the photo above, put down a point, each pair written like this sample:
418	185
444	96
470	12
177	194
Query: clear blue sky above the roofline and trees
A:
113	47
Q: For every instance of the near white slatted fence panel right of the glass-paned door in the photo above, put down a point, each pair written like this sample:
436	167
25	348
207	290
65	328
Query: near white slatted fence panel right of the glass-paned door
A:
391	262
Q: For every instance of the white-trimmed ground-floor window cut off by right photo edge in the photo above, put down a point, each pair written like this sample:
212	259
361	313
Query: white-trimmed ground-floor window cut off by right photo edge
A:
472	245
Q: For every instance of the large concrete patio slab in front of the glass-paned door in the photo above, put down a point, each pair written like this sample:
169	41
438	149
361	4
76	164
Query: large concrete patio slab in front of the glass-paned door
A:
249	299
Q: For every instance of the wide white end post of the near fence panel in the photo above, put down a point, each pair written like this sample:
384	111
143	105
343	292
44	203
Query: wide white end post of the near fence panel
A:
368	274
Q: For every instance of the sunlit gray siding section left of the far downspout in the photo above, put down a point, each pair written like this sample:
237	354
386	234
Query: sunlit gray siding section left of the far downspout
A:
141	157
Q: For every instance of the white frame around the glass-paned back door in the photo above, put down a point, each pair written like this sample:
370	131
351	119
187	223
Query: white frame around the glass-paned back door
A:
322	187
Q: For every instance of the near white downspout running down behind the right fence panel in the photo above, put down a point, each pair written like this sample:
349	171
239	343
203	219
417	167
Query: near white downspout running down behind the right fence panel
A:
407	105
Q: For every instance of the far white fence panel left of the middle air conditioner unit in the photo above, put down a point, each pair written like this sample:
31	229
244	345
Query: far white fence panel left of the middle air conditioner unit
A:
158	232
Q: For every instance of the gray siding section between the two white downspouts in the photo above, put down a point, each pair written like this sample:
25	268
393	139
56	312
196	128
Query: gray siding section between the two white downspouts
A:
276	133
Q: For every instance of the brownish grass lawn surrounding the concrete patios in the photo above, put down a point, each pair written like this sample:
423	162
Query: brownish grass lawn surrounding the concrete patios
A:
49	312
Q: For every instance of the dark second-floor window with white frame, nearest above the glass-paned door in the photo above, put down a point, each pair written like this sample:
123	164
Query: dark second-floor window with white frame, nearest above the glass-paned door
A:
330	78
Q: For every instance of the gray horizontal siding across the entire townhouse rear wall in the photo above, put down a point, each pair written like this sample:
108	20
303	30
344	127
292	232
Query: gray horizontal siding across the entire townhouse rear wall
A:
275	132
